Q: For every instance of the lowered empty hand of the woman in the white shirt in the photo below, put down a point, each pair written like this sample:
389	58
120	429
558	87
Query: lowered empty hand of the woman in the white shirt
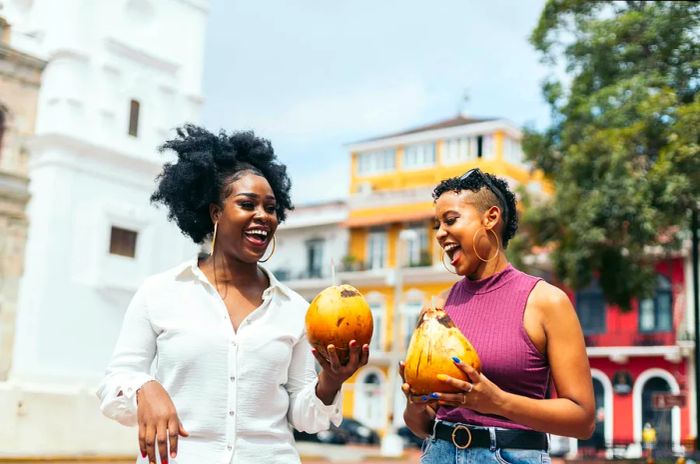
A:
158	421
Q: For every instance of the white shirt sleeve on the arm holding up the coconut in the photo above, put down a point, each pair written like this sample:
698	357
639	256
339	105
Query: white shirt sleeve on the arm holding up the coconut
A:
307	413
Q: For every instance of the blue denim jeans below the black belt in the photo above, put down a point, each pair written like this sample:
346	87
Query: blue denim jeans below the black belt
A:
445	452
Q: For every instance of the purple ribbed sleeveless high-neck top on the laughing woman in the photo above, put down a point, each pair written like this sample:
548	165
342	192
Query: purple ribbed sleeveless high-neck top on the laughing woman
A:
489	312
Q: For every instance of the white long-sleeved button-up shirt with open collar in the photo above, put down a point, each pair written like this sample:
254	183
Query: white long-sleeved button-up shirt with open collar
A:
236	392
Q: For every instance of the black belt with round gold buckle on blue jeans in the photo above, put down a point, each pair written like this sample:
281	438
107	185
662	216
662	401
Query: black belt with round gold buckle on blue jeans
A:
464	436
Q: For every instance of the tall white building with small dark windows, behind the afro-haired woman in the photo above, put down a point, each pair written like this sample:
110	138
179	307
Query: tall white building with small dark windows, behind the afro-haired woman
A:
121	74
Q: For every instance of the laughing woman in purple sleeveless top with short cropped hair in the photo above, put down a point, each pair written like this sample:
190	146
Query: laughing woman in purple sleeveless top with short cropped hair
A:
525	331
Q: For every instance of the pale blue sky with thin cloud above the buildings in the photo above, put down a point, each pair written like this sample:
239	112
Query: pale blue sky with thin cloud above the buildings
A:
314	75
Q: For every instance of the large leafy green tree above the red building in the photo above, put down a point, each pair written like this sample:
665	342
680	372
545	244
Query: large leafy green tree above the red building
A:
622	149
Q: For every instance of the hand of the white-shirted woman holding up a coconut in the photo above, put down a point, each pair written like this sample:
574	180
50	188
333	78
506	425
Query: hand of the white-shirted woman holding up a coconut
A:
333	373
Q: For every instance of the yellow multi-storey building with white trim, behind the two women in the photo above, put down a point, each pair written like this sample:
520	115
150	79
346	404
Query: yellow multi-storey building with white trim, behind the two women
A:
390	217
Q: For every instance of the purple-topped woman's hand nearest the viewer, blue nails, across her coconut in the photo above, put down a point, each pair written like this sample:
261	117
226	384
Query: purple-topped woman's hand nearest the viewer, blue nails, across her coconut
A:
478	393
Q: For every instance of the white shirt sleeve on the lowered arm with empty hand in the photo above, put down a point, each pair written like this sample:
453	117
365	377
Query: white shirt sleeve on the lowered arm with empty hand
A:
131	362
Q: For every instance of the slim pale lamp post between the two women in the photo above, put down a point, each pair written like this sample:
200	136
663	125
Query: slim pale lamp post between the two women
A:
392	444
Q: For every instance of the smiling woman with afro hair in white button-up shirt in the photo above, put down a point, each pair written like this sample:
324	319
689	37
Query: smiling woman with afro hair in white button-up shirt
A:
212	362
